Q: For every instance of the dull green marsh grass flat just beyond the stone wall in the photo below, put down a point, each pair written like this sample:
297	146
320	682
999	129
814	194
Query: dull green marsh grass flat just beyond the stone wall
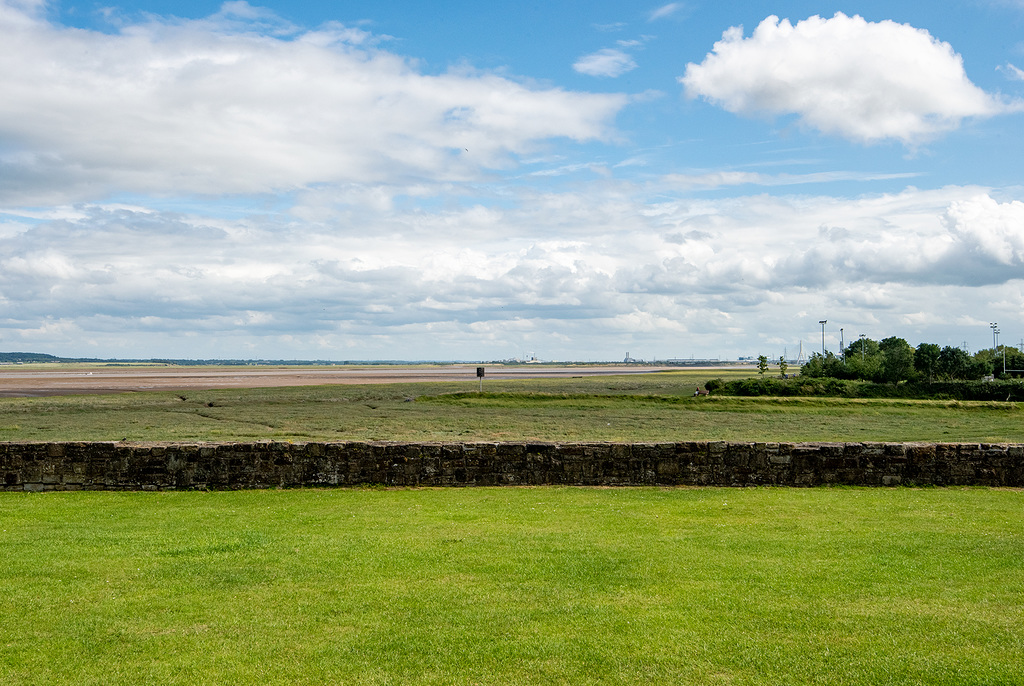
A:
642	408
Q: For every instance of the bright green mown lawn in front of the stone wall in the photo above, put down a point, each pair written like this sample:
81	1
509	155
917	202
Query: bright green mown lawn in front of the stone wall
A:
525	586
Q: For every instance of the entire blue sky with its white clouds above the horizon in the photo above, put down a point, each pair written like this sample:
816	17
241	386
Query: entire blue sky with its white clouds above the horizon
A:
479	182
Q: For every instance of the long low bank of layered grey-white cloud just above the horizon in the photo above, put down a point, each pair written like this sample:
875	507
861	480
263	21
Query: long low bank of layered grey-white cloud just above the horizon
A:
419	283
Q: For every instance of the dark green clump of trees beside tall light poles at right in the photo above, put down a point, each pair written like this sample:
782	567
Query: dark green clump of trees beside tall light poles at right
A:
893	360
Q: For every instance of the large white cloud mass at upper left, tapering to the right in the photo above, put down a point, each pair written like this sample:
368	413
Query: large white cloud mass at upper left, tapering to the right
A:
209	107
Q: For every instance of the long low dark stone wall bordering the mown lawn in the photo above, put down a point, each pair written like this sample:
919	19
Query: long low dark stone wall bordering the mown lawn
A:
75	466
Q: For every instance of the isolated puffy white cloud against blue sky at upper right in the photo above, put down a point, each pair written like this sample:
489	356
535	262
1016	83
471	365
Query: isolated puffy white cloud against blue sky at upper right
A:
843	76
